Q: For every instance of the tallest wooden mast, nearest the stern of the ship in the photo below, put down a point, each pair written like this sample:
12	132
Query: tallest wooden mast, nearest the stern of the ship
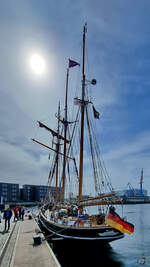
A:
82	118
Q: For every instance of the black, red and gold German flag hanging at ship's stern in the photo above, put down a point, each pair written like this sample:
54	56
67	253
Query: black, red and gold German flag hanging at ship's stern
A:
114	220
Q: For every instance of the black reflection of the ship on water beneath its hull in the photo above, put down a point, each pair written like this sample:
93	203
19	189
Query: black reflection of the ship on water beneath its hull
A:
85	254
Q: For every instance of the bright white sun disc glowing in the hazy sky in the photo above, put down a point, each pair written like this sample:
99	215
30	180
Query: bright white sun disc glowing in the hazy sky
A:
37	64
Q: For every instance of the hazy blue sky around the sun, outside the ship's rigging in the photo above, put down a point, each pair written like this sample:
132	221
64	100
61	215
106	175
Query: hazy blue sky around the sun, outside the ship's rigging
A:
118	45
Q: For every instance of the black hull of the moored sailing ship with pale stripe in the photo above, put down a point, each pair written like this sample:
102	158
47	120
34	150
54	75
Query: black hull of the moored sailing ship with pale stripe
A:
57	232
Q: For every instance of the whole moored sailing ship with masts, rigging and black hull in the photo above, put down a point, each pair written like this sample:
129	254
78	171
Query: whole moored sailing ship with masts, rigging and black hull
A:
64	214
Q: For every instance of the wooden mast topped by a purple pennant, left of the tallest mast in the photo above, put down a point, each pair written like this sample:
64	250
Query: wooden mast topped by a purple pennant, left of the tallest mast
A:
65	136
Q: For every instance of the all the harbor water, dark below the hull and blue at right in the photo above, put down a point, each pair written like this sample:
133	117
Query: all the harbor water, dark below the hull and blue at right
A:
131	251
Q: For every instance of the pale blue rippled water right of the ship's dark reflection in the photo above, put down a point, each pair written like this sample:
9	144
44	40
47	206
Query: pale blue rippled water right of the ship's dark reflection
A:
134	249
